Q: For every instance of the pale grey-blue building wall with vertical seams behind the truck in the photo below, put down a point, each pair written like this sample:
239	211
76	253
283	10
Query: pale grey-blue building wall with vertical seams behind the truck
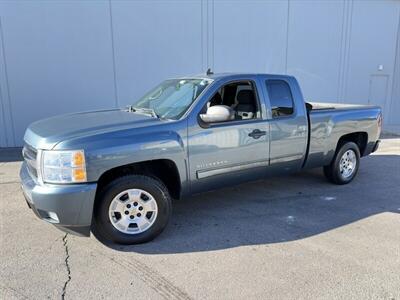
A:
65	56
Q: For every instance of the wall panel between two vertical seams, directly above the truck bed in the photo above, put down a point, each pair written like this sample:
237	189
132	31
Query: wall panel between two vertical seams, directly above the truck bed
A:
315	47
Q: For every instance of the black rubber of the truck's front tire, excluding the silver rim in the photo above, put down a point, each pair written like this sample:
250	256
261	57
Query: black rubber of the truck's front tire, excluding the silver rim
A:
103	229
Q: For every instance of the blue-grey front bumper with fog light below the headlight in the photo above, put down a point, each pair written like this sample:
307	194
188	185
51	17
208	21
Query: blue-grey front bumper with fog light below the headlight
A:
69	207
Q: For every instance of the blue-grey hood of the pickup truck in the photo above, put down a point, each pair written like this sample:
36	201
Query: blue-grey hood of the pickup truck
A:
47	133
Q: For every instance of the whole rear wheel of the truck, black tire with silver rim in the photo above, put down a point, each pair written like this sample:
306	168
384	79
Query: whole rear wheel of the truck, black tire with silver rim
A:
343	175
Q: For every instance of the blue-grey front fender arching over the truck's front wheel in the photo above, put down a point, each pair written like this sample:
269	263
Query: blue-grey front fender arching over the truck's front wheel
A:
108	151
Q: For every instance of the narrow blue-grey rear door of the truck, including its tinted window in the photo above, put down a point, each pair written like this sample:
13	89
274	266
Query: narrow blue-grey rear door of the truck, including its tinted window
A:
288	123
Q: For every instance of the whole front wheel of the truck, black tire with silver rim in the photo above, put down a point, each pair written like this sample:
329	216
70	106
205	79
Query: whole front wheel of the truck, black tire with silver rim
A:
127	205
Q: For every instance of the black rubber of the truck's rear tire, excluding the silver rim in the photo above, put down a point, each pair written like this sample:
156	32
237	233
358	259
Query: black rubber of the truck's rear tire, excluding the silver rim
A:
332	171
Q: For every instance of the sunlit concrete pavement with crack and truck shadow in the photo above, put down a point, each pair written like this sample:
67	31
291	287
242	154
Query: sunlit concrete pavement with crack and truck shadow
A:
292	237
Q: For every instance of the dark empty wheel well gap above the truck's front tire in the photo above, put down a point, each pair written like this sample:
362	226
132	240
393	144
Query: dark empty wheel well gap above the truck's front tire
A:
163	169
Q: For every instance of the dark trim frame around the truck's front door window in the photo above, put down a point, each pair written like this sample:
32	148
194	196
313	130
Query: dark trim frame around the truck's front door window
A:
233	122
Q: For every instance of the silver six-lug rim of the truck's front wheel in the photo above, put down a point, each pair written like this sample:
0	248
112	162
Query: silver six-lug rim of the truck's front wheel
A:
133	211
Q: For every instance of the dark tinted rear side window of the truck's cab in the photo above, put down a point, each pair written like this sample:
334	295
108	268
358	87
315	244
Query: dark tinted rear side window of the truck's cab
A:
281	98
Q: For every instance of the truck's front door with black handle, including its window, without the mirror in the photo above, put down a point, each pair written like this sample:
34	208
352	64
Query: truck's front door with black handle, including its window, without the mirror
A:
232	151
